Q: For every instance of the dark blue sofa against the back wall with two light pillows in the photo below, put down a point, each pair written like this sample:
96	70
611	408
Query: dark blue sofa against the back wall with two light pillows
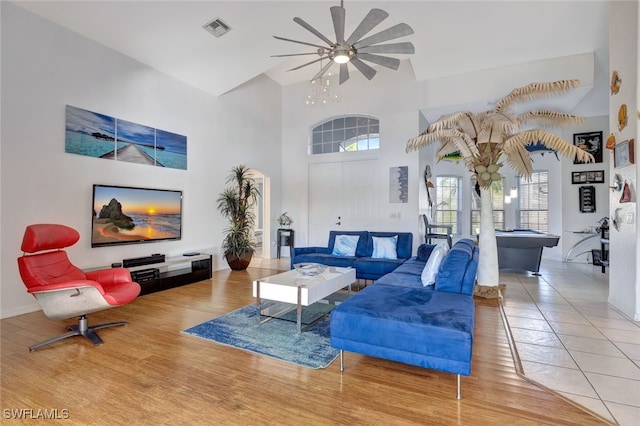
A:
366	266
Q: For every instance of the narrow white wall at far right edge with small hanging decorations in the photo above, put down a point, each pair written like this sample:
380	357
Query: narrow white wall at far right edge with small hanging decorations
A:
624	275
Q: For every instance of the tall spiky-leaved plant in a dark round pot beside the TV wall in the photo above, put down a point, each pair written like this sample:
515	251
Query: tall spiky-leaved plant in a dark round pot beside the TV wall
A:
236	203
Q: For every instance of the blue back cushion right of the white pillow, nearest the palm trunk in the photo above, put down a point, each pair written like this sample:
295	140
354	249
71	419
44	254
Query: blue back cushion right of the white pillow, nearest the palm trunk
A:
458	269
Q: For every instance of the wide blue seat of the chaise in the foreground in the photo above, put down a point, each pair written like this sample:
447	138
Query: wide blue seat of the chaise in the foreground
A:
411	325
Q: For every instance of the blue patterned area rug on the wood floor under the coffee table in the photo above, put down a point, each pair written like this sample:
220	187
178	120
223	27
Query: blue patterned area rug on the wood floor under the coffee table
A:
275	338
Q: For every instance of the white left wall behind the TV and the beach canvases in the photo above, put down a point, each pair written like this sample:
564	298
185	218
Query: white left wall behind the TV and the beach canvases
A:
44	68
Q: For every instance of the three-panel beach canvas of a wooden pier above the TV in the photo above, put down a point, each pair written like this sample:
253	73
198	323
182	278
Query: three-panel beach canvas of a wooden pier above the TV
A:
101	136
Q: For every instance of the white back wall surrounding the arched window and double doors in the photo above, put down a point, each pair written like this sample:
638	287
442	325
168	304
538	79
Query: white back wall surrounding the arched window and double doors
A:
392	97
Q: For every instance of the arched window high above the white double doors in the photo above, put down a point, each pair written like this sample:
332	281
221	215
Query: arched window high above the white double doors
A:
346	133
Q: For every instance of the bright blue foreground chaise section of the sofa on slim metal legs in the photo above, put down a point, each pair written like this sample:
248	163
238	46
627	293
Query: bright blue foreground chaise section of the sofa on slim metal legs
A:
401	320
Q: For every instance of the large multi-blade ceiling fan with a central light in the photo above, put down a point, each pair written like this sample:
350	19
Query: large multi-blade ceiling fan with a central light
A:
355	49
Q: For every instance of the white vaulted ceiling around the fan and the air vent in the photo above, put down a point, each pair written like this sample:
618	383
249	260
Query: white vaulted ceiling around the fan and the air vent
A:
451	37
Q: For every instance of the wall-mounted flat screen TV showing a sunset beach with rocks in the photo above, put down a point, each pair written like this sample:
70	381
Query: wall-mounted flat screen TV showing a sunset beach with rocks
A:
128	215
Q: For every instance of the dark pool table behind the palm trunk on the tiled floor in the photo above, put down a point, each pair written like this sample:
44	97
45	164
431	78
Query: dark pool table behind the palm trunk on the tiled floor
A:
522	248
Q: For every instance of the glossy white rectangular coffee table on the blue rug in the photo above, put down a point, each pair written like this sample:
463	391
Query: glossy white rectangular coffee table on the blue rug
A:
294	288
